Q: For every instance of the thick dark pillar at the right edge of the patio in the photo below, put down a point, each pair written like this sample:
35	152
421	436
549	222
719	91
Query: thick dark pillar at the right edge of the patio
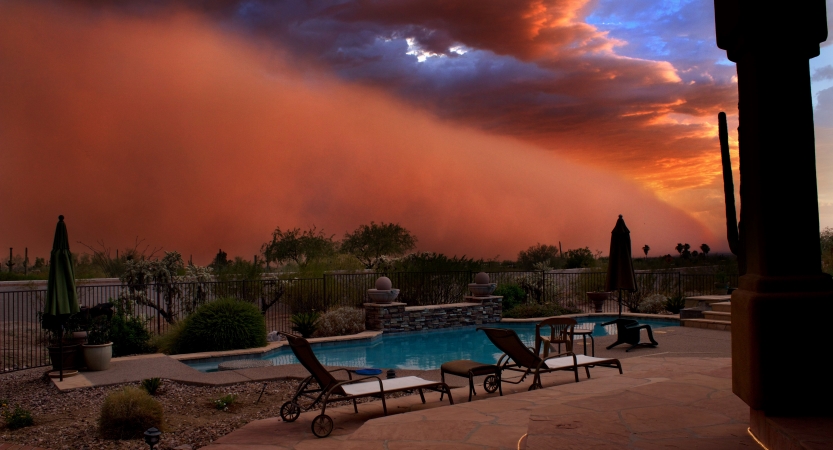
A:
782	309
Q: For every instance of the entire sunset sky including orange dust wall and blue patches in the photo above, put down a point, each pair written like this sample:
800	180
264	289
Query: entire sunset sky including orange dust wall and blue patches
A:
483	126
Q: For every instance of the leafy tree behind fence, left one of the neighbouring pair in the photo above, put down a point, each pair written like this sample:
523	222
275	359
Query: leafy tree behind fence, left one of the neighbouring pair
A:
298	246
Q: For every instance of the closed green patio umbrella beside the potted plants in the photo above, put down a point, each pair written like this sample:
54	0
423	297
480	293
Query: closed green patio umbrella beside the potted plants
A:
61	297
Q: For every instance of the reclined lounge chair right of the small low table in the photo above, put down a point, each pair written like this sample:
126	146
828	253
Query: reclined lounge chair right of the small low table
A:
518	357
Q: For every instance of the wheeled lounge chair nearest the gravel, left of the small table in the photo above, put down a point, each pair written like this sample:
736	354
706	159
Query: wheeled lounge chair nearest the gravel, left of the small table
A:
328	386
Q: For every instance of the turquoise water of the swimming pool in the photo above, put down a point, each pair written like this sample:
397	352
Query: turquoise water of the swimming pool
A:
425	350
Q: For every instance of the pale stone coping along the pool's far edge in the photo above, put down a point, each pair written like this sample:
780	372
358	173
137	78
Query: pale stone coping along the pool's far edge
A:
232	355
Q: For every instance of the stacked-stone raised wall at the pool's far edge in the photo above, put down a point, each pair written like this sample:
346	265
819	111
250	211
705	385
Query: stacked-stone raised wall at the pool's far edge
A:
396	317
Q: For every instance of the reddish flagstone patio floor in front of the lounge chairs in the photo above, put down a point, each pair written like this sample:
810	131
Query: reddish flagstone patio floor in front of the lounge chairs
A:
662	401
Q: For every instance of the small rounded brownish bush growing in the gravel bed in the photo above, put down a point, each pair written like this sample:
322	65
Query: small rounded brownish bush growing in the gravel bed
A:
127	413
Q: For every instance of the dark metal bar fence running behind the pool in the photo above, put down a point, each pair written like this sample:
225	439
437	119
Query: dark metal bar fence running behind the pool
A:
22	342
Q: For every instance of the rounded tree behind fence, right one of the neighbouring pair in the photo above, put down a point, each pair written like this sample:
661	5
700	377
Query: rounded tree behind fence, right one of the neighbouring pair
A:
370	243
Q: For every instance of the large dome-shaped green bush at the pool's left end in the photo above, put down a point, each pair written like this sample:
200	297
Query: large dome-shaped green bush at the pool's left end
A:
225	324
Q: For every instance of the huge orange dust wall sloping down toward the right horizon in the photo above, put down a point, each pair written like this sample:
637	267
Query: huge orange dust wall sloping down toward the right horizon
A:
195	139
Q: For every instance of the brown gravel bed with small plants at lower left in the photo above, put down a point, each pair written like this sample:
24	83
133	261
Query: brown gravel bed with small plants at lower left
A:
68	420
